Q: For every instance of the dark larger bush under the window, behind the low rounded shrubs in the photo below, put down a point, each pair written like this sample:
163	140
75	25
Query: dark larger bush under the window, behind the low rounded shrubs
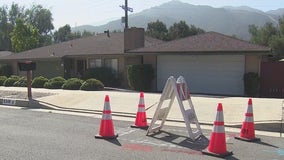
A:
106	75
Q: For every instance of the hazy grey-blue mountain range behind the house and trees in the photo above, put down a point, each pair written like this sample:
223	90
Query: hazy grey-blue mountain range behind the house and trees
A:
227	20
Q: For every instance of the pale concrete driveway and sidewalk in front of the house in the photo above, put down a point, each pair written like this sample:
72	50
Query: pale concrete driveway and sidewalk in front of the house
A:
267	111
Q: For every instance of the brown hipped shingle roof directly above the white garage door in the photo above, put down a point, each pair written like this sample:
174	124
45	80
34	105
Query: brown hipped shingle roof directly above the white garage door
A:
208	42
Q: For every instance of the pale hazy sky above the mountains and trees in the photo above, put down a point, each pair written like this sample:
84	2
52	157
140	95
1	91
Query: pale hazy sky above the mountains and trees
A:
81	12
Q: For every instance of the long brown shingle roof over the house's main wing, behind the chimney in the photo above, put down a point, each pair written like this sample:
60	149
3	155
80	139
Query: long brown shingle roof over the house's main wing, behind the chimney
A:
99	44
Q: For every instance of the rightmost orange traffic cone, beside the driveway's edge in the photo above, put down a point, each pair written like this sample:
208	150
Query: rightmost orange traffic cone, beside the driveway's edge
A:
247	131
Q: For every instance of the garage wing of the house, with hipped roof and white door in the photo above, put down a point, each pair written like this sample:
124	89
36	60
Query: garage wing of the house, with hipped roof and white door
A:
212	63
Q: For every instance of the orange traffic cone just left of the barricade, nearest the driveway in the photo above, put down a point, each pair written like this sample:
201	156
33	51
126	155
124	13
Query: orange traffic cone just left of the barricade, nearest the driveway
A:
141	119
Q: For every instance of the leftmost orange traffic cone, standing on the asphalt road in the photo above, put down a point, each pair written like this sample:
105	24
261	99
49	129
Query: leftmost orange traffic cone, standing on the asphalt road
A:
106	127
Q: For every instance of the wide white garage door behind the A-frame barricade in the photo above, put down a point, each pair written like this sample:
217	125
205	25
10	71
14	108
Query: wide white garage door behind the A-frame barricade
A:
208	74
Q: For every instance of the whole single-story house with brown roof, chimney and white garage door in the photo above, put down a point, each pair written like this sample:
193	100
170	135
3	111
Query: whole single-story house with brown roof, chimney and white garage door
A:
212	63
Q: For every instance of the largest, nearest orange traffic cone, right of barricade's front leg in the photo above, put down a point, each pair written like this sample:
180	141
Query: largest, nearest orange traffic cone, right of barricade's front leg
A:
217	144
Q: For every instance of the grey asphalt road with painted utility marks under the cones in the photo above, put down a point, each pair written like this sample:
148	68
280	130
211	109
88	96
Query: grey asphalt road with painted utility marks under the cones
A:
32	135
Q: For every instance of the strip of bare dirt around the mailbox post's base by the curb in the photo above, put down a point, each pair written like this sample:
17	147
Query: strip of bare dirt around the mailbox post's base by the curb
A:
22	95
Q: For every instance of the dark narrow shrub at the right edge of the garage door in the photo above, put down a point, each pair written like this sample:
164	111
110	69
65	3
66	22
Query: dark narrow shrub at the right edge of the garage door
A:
251	83
